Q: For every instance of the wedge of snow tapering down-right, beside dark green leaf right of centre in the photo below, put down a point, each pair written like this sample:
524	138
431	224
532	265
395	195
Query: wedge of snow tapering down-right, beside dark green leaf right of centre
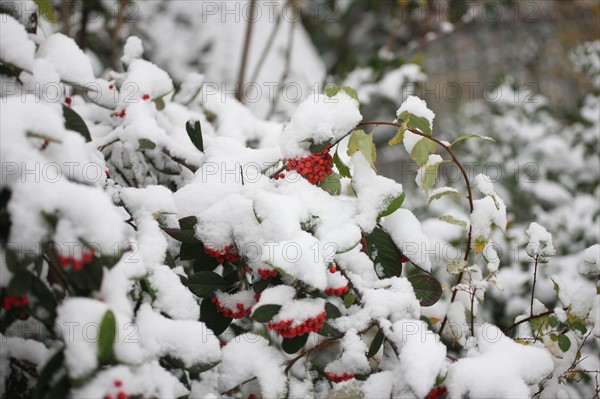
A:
405	230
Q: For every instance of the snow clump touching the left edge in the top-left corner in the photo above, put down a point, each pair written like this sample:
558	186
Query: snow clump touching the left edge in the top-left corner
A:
16	47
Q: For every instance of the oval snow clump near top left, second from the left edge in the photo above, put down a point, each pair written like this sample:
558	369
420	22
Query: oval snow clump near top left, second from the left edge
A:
67	58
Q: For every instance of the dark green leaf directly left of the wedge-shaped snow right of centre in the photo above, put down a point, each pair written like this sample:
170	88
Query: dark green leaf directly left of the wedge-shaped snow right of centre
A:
386	253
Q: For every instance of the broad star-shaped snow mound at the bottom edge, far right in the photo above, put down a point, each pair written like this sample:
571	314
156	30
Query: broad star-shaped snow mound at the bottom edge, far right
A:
501	369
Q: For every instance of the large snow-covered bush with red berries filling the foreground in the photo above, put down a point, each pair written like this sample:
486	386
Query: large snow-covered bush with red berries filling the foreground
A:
149	251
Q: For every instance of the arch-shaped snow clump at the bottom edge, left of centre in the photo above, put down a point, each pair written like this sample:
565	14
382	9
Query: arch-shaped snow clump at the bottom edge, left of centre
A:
260	360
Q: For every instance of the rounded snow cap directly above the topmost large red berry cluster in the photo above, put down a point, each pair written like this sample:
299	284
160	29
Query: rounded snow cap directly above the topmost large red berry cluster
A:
319	119
